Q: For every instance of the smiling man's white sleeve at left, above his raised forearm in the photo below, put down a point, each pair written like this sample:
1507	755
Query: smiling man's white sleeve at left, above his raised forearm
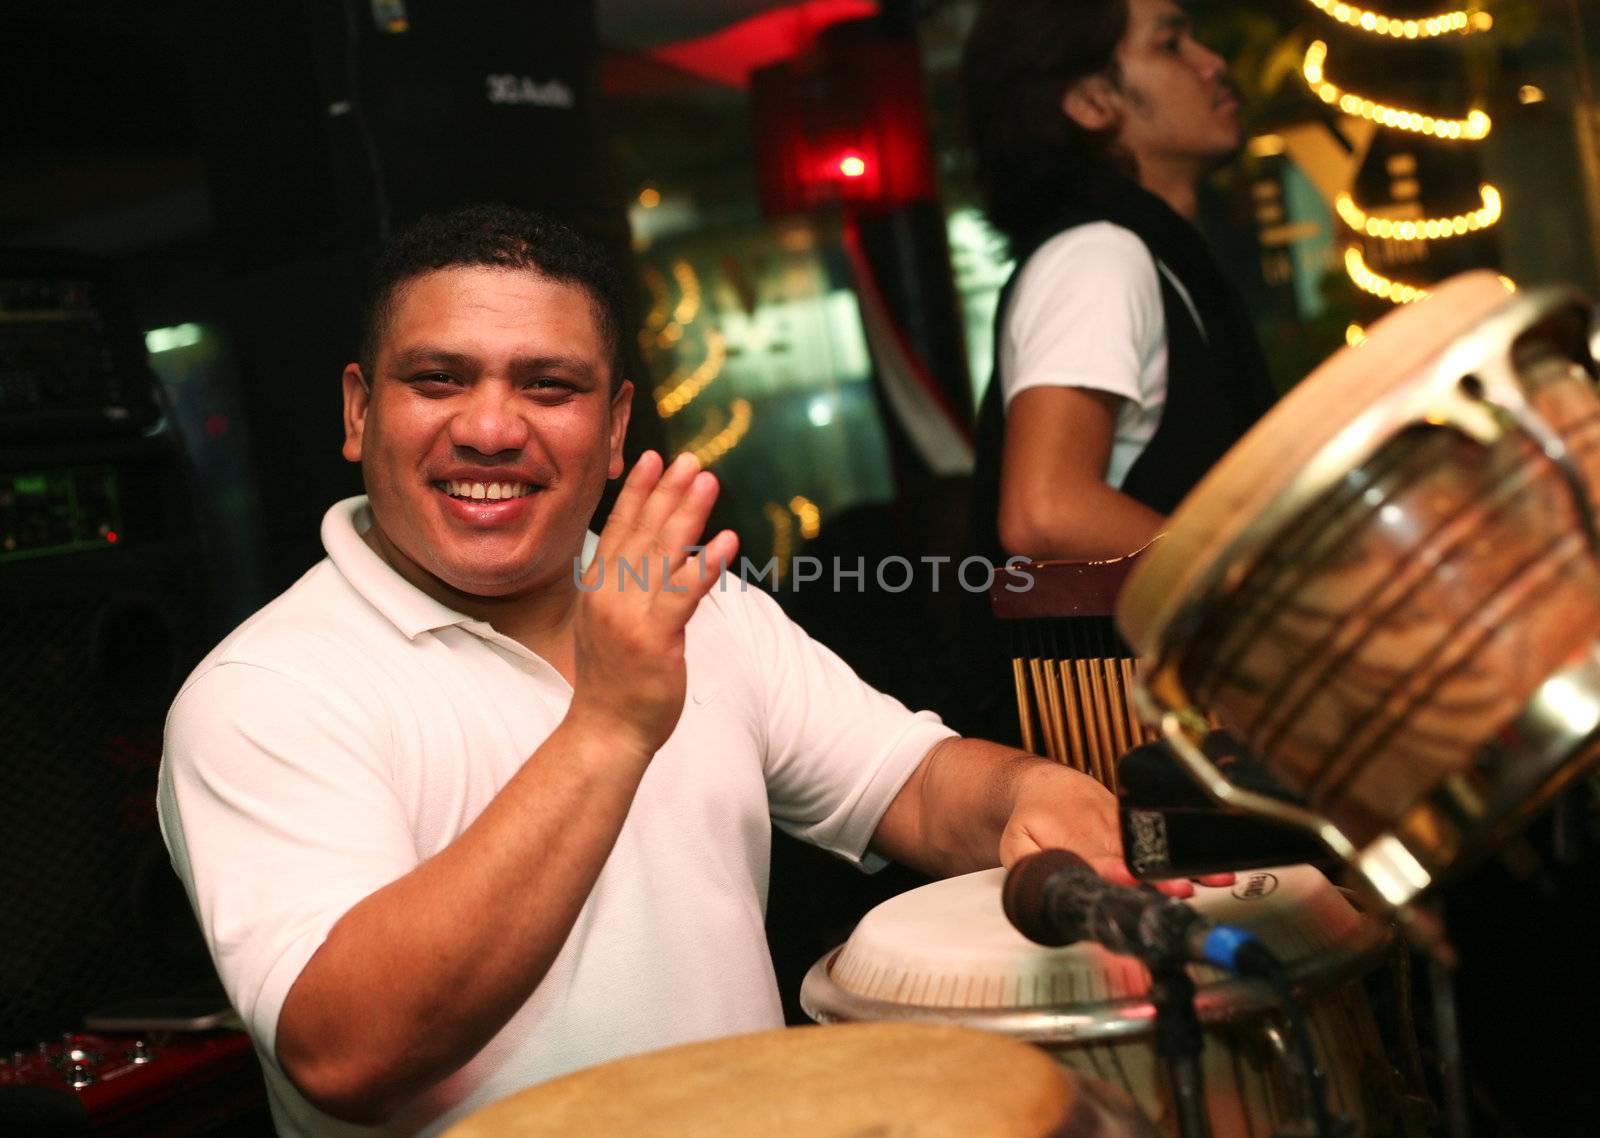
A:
279	812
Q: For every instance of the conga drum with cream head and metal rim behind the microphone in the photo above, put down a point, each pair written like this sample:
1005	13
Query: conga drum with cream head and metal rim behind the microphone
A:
945	953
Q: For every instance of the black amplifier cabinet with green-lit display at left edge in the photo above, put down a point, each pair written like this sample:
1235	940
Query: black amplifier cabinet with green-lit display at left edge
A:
95	641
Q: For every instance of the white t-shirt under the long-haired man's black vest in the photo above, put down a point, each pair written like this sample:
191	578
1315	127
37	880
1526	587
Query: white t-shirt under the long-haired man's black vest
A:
1087	313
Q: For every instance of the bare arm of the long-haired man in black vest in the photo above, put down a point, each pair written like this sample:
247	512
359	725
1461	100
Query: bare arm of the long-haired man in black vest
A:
1055	503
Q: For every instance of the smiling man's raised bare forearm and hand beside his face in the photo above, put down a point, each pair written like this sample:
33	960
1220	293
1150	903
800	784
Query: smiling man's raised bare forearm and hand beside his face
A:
420	976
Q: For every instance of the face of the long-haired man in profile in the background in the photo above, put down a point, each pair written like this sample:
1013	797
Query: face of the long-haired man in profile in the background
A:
1177	103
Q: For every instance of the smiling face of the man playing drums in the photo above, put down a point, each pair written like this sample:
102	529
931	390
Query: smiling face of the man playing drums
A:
489	431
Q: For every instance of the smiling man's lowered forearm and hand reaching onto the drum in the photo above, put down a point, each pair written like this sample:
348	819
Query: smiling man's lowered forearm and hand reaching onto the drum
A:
974	806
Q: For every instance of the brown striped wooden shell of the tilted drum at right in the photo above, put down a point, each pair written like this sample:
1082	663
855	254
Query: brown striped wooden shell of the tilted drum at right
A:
1410	614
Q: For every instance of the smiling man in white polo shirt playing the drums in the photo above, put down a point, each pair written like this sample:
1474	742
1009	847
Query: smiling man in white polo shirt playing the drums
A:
454	823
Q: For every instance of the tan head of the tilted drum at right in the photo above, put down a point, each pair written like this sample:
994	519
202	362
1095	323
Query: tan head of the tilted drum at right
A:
1326	427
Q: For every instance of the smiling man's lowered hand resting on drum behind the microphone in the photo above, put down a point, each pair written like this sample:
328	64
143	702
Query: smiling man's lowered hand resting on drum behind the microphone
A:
1062	809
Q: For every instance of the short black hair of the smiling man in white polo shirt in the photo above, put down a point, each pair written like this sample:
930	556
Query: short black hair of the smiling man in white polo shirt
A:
500	238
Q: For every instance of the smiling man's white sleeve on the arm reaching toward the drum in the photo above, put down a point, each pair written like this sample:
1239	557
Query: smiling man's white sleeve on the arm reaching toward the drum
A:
838	750
